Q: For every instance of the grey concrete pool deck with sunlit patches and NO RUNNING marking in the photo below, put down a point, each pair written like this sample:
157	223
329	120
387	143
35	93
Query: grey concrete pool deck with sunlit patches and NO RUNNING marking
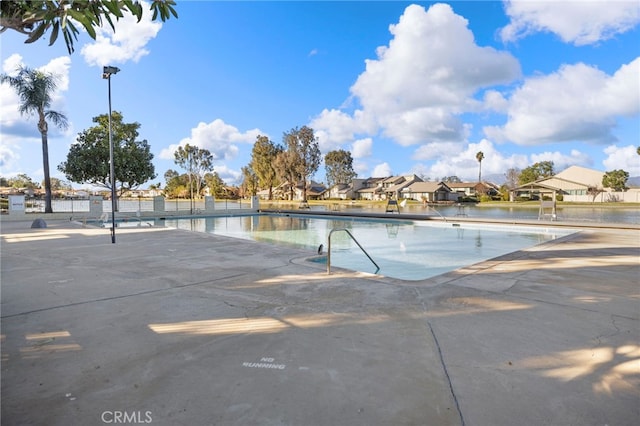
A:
169	327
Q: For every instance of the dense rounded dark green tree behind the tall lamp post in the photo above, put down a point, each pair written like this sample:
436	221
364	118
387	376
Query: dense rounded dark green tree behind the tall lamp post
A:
88	157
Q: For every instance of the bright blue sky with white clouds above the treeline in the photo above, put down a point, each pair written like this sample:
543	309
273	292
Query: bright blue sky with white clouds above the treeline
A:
405	87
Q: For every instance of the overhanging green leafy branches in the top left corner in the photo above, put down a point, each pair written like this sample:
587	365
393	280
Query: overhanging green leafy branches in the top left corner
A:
35	18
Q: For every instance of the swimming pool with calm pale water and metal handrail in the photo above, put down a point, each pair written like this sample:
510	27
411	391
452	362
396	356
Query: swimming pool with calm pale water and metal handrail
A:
408	250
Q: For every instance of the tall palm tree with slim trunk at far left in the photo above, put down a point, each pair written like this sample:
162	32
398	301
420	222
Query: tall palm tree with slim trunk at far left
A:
35	89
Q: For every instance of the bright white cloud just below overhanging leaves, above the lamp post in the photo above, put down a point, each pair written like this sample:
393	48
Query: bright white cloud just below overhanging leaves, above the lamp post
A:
128	42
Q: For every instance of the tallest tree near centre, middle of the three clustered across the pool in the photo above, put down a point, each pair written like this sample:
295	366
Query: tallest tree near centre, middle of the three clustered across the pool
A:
305	157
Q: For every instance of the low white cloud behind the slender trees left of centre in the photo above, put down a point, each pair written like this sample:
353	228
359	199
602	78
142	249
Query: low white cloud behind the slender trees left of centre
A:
219	138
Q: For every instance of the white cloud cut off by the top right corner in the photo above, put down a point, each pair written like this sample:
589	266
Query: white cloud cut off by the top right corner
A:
575	21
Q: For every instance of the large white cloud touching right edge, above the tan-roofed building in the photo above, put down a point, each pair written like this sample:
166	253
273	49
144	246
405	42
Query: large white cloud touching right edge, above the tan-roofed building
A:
576	103
